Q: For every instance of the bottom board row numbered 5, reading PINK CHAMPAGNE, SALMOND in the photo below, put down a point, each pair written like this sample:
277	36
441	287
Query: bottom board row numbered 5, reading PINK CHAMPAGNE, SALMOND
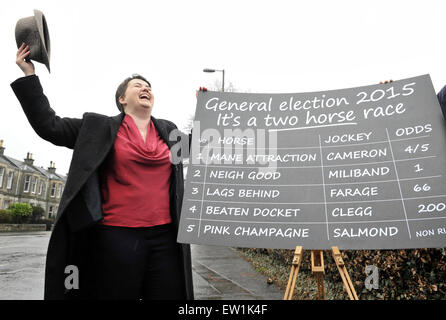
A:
371	235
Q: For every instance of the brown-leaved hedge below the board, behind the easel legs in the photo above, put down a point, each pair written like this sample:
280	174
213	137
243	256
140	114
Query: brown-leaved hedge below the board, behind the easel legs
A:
403	274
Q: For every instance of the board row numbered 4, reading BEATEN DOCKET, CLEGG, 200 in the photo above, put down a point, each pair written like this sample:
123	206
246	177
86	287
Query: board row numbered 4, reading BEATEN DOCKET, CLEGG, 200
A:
426	208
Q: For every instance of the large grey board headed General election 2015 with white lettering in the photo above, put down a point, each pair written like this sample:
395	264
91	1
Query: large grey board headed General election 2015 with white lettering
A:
358	168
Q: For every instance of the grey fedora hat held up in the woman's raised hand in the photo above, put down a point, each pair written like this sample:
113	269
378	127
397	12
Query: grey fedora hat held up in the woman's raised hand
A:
34	32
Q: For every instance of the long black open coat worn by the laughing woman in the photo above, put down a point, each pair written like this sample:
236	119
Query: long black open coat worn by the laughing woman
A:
91	139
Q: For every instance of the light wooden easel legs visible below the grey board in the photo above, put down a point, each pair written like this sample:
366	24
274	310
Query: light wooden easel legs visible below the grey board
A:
317	267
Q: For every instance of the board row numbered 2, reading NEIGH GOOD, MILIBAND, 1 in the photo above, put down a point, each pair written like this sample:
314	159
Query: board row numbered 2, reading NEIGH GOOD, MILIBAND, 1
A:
286	176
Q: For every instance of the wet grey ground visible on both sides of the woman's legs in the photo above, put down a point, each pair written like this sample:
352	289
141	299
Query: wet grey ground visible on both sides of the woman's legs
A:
219	273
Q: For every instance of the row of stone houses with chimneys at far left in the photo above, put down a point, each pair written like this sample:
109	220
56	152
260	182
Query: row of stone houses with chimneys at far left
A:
23	181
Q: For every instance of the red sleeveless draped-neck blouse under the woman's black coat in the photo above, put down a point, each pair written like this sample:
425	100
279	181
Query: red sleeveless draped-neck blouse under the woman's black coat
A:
136	178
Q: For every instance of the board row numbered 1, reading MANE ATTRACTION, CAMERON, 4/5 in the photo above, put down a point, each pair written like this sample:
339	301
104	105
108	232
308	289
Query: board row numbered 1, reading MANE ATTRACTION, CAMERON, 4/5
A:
313	156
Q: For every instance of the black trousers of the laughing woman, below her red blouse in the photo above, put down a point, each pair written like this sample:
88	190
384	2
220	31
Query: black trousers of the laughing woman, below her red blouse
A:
135	263
